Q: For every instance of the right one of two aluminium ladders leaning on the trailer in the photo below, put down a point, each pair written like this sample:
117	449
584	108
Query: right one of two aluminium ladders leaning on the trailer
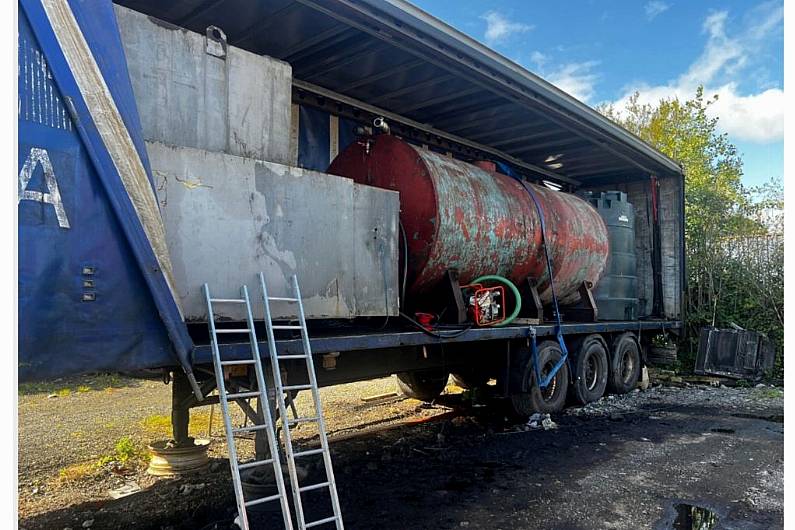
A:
281	389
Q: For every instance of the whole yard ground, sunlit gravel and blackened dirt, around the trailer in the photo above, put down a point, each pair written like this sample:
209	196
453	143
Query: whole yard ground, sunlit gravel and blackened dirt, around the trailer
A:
623	462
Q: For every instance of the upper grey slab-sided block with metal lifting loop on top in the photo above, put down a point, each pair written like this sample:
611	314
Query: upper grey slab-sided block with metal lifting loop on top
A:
237	103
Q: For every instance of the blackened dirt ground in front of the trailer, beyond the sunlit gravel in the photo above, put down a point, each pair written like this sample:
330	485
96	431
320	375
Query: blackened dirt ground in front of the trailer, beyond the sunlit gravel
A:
622	463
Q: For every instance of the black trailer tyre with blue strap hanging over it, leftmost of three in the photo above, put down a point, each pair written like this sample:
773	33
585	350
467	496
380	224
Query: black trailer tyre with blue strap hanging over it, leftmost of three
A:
553	397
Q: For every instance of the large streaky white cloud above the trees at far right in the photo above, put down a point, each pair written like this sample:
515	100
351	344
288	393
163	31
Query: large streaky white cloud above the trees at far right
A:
755	117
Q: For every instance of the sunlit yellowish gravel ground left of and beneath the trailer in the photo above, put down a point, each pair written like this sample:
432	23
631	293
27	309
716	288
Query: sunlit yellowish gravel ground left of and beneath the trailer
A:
67	427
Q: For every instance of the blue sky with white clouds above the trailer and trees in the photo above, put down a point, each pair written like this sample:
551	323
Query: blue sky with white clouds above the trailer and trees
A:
603	51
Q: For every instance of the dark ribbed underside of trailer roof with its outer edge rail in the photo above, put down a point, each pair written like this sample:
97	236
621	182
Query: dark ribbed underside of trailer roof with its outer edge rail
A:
389	55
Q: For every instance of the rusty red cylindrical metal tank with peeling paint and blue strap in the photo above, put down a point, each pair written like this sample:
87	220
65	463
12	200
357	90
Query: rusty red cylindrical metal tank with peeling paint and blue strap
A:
457	215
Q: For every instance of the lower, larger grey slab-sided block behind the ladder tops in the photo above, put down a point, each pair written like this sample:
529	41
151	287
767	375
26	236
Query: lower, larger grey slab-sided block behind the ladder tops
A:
228	217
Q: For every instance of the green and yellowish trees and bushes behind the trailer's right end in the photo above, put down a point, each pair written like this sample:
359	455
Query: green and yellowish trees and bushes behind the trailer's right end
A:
733	235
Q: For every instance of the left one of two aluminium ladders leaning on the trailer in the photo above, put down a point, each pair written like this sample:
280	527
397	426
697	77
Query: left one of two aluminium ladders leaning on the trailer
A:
261	394
